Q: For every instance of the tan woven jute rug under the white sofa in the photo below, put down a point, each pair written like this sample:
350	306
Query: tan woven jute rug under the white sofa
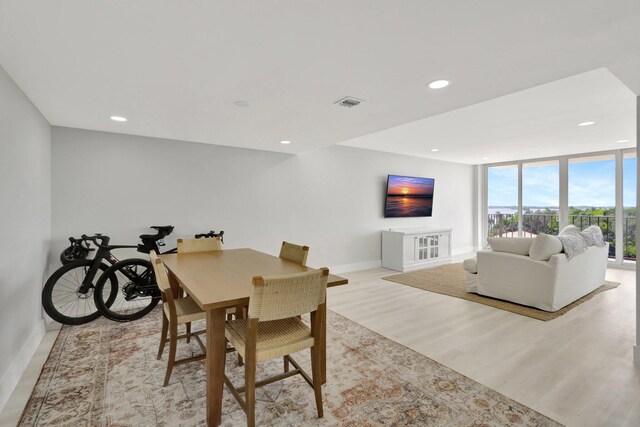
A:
450	280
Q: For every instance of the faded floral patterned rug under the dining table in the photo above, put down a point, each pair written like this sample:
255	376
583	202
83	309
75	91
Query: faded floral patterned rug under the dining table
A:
106	374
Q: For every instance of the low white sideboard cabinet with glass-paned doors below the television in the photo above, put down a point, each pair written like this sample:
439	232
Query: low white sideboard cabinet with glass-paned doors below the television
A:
405	249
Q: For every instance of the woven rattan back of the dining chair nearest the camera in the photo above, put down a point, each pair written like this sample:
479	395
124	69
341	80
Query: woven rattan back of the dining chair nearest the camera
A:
280	297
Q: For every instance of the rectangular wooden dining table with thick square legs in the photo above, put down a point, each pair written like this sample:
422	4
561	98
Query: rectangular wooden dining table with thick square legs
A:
218	280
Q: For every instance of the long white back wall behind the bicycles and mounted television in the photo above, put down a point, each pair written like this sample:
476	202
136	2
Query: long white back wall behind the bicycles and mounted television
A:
330	199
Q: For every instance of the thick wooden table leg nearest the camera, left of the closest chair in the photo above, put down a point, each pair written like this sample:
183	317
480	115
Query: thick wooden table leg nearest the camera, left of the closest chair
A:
216	354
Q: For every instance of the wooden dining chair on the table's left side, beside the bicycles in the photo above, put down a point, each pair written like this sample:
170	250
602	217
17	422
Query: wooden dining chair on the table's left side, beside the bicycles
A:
176	311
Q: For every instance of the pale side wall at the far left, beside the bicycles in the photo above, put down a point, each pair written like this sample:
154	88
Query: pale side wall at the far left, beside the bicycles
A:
25	218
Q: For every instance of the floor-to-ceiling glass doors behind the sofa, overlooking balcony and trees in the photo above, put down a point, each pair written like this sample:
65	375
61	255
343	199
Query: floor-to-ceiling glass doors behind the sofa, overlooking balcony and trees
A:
526	198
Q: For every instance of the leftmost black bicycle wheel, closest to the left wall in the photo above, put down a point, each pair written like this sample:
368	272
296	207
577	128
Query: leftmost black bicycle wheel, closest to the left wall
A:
62	298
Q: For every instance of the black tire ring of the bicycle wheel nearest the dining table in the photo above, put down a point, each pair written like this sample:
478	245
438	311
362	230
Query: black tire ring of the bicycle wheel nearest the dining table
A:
105	306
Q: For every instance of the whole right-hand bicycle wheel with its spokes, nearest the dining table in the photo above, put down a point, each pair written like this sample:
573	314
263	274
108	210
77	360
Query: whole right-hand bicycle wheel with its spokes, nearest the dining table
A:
136	295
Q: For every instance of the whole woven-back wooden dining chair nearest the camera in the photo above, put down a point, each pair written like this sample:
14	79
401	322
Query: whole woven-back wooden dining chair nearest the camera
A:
272	329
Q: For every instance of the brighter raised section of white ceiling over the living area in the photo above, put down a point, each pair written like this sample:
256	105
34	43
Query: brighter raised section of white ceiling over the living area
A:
534	123
